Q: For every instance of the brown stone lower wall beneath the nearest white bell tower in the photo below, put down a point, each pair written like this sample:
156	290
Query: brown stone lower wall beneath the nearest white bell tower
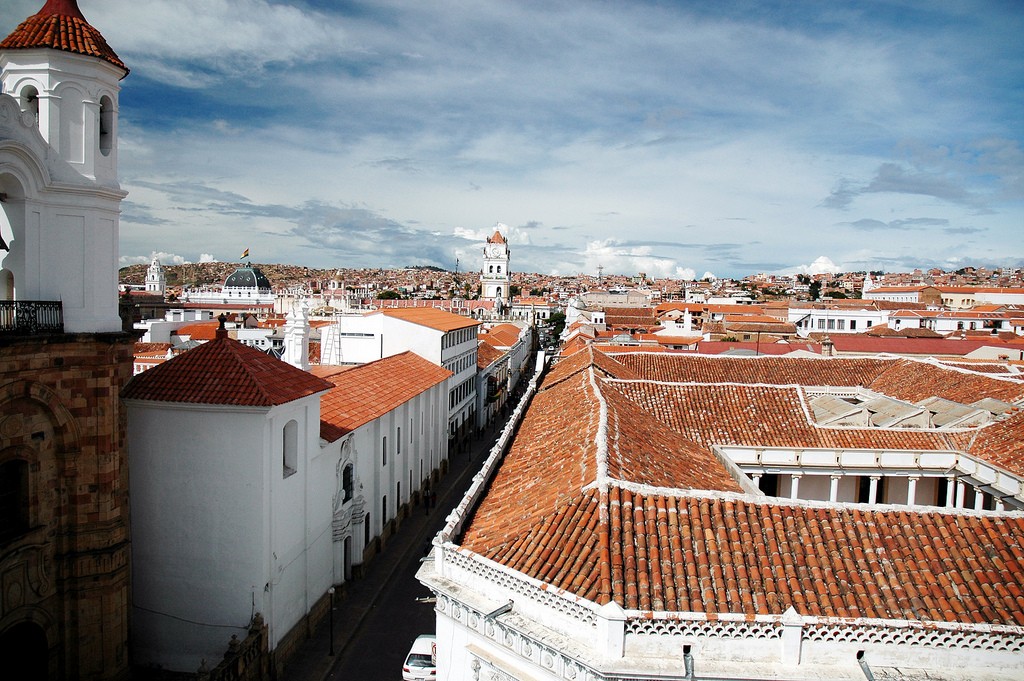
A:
67	570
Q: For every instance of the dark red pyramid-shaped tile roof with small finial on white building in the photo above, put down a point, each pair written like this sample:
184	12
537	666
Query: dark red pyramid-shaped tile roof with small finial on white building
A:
225	372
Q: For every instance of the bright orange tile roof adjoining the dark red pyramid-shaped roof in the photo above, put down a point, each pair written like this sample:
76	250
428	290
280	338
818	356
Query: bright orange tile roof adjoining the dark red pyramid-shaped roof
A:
366	393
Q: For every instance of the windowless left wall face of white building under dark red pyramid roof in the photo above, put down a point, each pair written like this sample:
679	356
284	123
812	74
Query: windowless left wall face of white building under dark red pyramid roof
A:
199	541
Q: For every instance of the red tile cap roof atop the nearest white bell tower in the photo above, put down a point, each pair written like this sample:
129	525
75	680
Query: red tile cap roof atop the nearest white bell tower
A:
60	25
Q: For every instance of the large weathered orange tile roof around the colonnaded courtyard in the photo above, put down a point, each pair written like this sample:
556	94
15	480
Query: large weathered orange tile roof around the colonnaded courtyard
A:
599	496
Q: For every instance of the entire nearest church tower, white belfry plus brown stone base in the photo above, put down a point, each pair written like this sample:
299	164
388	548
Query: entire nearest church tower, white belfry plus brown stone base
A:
64	360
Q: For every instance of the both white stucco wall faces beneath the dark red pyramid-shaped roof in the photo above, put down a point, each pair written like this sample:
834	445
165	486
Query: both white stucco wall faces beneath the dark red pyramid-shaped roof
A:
220	532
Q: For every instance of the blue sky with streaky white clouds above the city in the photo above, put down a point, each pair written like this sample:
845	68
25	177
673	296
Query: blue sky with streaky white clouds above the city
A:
675	139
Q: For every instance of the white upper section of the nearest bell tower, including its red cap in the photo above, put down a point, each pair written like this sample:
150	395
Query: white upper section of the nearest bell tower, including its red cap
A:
59	166
